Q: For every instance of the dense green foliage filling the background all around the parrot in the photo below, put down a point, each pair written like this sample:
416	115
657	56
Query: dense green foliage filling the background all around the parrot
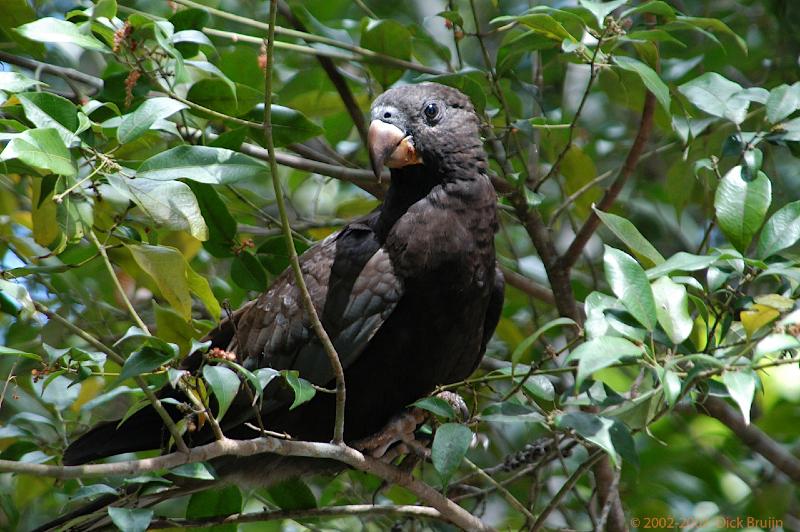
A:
151	148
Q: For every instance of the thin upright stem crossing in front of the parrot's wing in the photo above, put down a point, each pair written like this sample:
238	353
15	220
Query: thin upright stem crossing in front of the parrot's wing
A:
308	303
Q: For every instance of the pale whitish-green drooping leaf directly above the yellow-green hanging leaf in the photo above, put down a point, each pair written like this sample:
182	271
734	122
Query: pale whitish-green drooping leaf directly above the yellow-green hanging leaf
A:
169	204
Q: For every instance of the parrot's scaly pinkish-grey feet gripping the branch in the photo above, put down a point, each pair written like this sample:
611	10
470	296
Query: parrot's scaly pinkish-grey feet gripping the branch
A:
398	436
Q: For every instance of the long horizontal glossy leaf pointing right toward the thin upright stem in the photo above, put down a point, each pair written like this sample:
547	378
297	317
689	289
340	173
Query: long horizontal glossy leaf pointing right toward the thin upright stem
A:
202	164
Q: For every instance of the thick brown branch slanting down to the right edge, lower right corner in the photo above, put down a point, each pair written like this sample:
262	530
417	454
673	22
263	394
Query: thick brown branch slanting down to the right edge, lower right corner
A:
752	436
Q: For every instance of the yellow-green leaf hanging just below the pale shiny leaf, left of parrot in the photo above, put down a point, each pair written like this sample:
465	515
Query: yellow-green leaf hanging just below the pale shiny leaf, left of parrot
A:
167	267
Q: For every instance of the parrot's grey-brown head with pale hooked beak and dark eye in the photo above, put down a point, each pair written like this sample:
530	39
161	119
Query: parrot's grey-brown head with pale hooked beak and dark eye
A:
428	124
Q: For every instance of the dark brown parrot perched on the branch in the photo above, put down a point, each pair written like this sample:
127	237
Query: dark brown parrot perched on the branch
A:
409	294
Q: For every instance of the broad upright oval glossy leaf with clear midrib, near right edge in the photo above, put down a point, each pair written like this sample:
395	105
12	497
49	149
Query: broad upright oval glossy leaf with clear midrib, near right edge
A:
742	205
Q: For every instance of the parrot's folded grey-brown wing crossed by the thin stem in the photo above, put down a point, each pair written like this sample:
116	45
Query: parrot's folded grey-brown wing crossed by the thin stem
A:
352	284
